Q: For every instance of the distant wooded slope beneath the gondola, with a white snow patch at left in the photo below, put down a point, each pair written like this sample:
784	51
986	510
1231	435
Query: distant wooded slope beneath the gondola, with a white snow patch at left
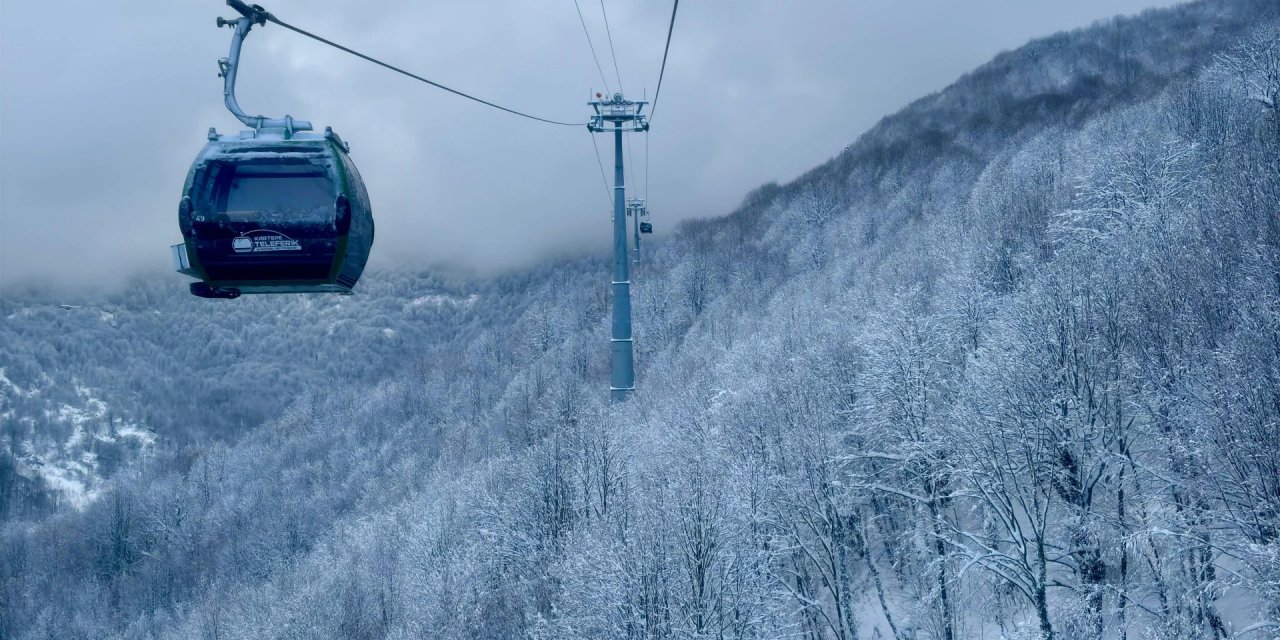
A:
92	386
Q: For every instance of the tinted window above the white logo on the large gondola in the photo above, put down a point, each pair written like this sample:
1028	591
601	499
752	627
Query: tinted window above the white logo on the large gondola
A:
299	198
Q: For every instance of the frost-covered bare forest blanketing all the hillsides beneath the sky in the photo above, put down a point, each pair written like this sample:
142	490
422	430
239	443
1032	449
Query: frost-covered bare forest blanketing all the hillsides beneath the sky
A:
1007	368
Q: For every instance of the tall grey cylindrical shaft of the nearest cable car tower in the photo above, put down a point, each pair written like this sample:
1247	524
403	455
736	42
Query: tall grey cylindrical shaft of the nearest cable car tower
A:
624	378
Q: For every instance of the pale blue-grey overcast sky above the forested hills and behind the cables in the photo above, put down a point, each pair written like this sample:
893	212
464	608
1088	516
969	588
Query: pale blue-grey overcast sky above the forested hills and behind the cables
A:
106	104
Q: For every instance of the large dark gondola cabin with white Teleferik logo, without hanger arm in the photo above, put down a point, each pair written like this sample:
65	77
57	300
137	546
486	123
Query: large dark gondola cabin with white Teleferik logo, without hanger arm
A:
273	213
